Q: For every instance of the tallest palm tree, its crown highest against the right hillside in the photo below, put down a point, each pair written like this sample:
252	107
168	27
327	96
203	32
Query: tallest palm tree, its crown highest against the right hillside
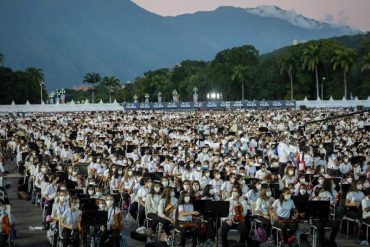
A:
311	60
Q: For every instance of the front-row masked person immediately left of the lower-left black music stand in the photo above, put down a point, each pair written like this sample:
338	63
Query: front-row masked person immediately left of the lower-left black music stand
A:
70	223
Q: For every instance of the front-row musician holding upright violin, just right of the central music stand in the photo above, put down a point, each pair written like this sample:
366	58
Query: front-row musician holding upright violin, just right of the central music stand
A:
238	210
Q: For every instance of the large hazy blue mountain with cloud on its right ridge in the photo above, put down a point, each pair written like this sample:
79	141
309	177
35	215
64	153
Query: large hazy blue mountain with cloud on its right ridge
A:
70	38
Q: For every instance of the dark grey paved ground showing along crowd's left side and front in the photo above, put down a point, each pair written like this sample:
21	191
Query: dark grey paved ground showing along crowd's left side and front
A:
27	215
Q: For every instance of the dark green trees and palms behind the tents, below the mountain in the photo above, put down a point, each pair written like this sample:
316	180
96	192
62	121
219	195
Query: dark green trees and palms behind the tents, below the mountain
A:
338	67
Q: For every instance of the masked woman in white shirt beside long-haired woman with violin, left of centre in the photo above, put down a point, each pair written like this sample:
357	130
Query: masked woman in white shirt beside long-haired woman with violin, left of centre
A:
151	205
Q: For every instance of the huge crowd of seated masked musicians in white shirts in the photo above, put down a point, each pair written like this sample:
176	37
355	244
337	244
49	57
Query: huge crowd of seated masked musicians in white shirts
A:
154	167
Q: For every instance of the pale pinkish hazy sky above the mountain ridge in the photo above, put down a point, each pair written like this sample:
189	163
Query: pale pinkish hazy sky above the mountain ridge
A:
355	13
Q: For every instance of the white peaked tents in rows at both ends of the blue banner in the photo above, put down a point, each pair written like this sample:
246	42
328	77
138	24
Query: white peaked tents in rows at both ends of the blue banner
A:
115	106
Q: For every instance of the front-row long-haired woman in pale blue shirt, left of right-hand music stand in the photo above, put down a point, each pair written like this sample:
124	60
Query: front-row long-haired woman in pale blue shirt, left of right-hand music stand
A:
281	215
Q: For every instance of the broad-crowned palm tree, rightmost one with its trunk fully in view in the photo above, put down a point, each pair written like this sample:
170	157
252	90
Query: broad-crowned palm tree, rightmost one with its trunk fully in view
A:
344	59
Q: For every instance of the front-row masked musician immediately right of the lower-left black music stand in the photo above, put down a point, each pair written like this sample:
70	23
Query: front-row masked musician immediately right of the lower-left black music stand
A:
114	223
